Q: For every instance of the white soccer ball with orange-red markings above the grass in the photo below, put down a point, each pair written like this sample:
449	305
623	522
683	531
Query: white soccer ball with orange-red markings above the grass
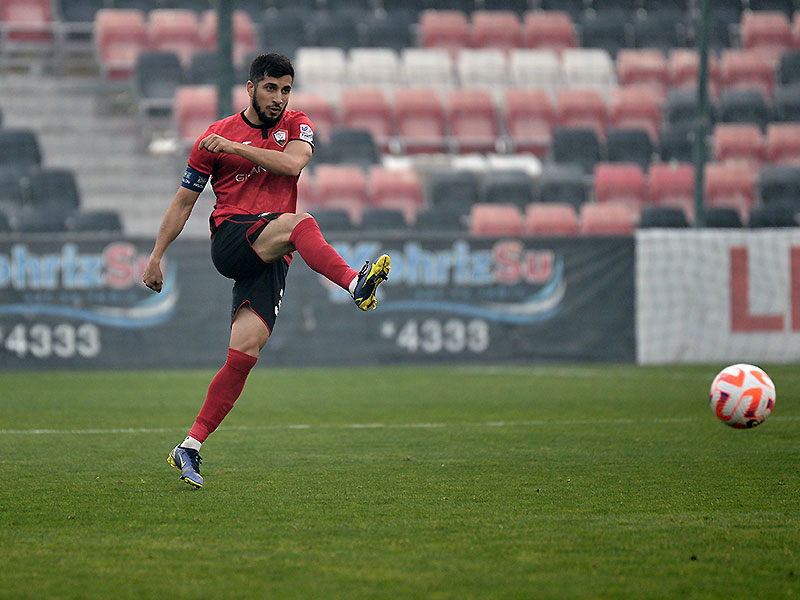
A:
742	396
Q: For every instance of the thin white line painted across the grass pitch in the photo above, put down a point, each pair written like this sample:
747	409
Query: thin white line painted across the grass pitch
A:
344	426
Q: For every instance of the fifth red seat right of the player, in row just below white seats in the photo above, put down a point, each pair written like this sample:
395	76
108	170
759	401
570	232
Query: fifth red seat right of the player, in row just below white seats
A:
530	117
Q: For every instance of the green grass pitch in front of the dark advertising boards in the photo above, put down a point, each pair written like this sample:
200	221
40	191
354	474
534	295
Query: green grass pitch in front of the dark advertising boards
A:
409	483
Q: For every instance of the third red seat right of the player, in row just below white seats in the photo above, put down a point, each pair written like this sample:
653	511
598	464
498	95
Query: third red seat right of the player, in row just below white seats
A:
420	119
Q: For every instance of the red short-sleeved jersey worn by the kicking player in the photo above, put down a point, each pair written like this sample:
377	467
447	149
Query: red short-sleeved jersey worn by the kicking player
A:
241	186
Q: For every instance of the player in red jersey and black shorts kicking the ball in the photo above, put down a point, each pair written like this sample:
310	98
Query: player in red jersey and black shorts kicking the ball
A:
253	160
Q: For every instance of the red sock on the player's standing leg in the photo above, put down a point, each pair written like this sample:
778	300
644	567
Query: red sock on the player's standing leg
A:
225	388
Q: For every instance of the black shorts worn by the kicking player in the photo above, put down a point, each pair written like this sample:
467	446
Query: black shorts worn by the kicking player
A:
257	283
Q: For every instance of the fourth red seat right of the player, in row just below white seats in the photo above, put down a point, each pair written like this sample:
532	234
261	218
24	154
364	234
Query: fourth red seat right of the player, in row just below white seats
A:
473	120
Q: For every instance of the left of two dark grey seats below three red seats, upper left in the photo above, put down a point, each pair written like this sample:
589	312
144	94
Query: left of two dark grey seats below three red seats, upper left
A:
157	76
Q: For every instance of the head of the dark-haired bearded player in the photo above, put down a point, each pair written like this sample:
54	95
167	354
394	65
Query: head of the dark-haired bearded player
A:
271	77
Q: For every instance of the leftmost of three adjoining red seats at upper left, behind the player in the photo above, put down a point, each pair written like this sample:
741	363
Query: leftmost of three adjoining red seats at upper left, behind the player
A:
120	35
